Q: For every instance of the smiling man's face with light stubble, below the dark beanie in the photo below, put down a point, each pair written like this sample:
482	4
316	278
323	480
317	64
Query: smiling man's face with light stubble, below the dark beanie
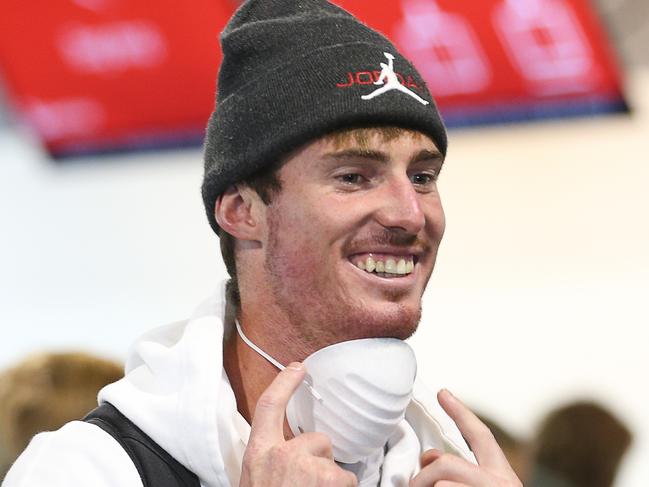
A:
352	237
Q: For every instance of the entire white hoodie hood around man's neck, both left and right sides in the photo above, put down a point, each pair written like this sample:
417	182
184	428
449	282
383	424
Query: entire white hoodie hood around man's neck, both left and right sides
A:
176	391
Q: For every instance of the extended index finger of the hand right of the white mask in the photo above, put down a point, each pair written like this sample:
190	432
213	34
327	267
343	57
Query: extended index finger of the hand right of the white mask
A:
476	433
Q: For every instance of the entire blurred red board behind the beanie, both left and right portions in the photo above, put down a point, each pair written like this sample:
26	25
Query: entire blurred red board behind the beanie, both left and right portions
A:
103	75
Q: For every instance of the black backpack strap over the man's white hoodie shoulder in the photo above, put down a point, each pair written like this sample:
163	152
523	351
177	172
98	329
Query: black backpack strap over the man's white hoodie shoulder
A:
156	467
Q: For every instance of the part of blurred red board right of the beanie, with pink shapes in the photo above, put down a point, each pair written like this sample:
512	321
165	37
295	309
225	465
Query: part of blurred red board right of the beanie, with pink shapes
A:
503	60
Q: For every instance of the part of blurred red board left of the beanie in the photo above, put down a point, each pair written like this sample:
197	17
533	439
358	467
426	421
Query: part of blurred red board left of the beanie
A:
103	75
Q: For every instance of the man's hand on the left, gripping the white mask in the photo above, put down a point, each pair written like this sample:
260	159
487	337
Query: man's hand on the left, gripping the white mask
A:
271	461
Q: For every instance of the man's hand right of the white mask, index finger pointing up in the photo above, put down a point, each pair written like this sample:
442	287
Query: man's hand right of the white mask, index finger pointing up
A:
445	470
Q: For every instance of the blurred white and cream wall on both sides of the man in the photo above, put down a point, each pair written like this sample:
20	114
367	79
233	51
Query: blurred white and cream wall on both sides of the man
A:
539	294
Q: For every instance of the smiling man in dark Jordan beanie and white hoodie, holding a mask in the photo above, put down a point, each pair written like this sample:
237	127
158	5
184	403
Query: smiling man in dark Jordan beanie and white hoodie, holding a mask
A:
327	207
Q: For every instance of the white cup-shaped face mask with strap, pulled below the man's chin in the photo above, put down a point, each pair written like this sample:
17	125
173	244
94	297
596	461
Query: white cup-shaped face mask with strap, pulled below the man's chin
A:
355	392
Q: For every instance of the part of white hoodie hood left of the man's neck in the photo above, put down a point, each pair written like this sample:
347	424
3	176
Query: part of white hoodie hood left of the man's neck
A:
176	390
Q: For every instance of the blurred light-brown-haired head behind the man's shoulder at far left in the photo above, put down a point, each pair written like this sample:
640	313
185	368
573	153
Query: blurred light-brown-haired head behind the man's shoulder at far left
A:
45	391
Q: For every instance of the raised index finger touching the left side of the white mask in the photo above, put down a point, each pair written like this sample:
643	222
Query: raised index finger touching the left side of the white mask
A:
268	420
